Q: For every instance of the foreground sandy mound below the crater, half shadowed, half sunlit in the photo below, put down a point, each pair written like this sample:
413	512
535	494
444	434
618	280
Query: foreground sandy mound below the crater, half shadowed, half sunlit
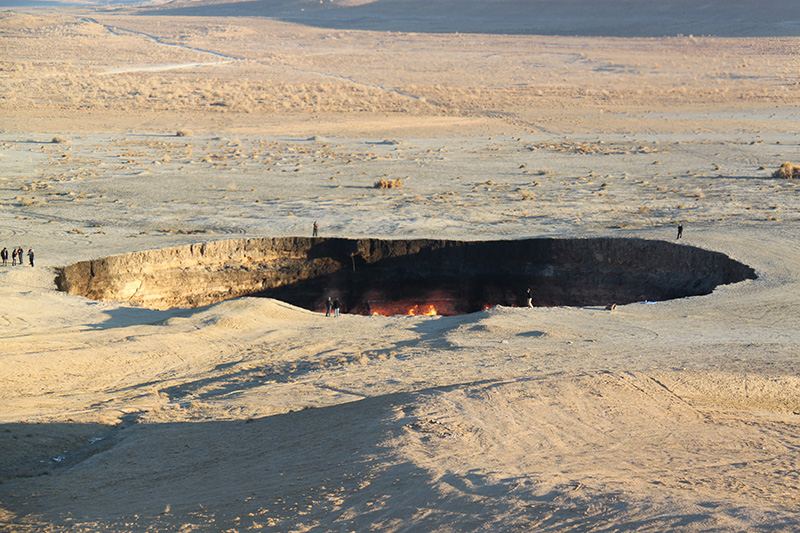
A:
548	453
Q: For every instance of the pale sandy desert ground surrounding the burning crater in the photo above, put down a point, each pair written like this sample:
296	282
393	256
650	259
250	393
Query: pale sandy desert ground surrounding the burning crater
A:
130	129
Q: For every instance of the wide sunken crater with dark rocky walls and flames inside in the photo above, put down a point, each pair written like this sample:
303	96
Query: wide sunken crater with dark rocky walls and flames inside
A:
386	277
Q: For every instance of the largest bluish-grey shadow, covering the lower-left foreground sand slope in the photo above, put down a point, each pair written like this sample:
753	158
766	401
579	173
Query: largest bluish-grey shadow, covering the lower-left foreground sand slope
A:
332	468
